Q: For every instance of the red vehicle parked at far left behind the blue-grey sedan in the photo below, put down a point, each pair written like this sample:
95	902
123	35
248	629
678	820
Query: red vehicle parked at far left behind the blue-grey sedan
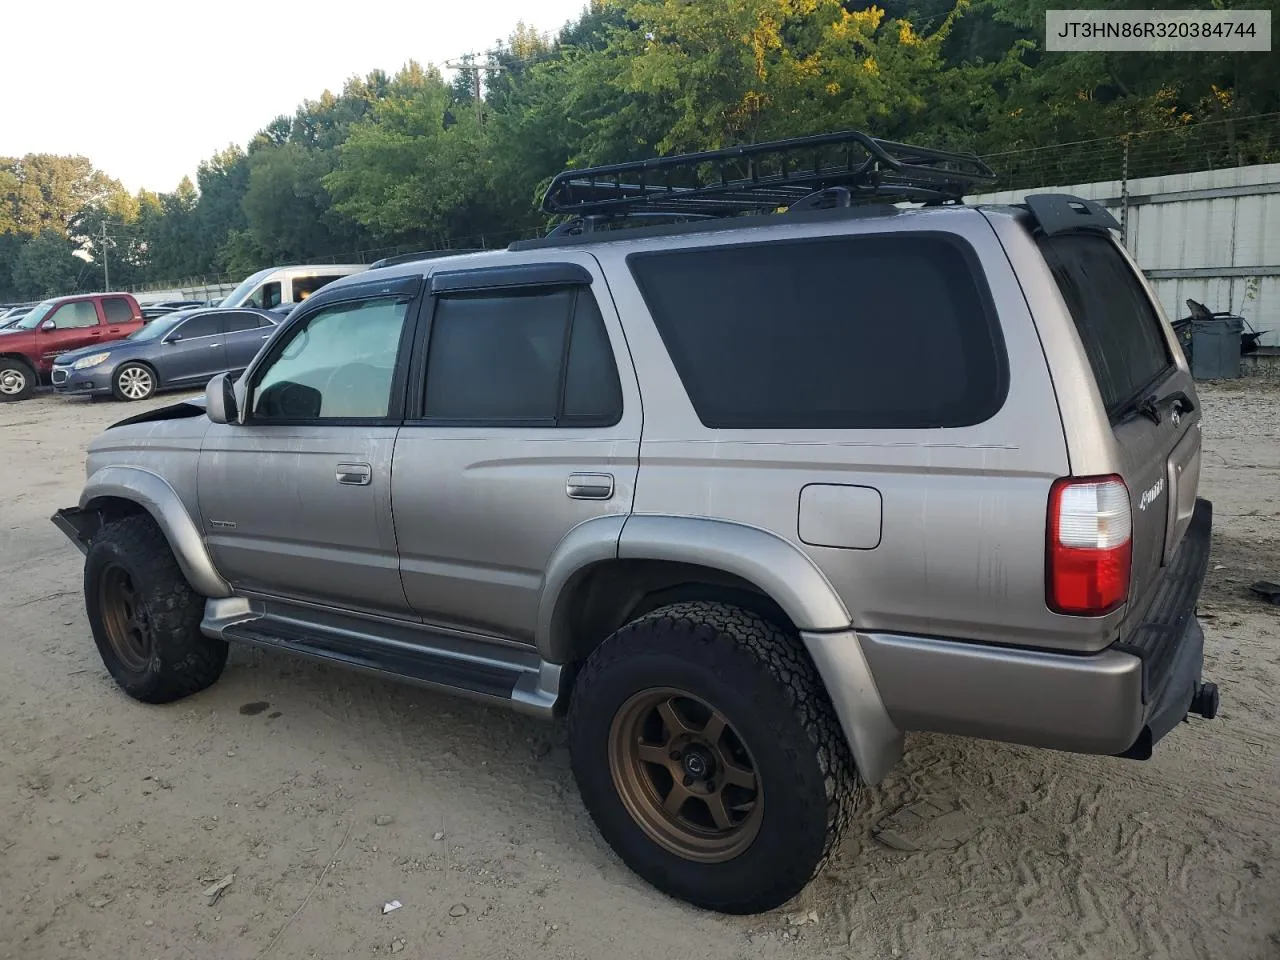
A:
28	350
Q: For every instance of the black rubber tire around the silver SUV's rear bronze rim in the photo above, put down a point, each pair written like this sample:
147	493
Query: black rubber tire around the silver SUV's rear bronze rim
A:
761	679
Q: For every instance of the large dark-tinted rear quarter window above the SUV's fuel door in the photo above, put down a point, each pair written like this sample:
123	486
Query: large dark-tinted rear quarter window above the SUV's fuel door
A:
834	333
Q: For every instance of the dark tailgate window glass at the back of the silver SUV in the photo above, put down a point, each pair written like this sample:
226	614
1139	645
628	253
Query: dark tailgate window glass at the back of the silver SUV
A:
1121	330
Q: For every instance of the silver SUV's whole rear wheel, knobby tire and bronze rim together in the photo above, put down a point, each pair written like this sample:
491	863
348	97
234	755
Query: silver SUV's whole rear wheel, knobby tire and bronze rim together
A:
710	757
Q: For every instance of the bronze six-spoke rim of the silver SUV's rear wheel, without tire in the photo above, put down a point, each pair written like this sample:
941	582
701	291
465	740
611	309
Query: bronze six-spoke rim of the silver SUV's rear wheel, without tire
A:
685	776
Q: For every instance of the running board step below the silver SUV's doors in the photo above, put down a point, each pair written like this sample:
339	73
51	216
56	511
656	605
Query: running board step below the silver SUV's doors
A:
529	687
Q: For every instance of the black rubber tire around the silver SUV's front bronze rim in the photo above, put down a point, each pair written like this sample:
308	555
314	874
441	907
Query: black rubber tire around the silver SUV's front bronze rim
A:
177	659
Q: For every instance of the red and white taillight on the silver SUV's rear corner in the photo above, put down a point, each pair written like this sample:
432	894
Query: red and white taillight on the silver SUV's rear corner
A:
1090	546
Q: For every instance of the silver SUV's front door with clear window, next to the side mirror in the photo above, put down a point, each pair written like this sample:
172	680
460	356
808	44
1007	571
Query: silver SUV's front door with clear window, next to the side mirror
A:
296	500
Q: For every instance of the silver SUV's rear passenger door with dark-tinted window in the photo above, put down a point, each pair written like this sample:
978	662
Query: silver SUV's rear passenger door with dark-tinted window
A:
524	423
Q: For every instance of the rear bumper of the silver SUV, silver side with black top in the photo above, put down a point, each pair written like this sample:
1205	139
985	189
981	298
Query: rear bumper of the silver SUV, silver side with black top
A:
1119	702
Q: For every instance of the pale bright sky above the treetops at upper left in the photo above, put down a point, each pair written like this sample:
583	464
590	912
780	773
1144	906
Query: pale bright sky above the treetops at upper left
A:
148	90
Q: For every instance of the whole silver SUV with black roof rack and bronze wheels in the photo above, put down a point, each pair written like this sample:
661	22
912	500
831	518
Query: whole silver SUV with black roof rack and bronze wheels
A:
746	495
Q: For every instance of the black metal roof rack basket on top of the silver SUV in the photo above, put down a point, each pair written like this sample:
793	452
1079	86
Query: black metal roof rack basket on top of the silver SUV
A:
825	171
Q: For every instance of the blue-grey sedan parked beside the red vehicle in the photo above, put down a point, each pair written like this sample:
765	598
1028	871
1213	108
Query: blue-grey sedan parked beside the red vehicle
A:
184	349
